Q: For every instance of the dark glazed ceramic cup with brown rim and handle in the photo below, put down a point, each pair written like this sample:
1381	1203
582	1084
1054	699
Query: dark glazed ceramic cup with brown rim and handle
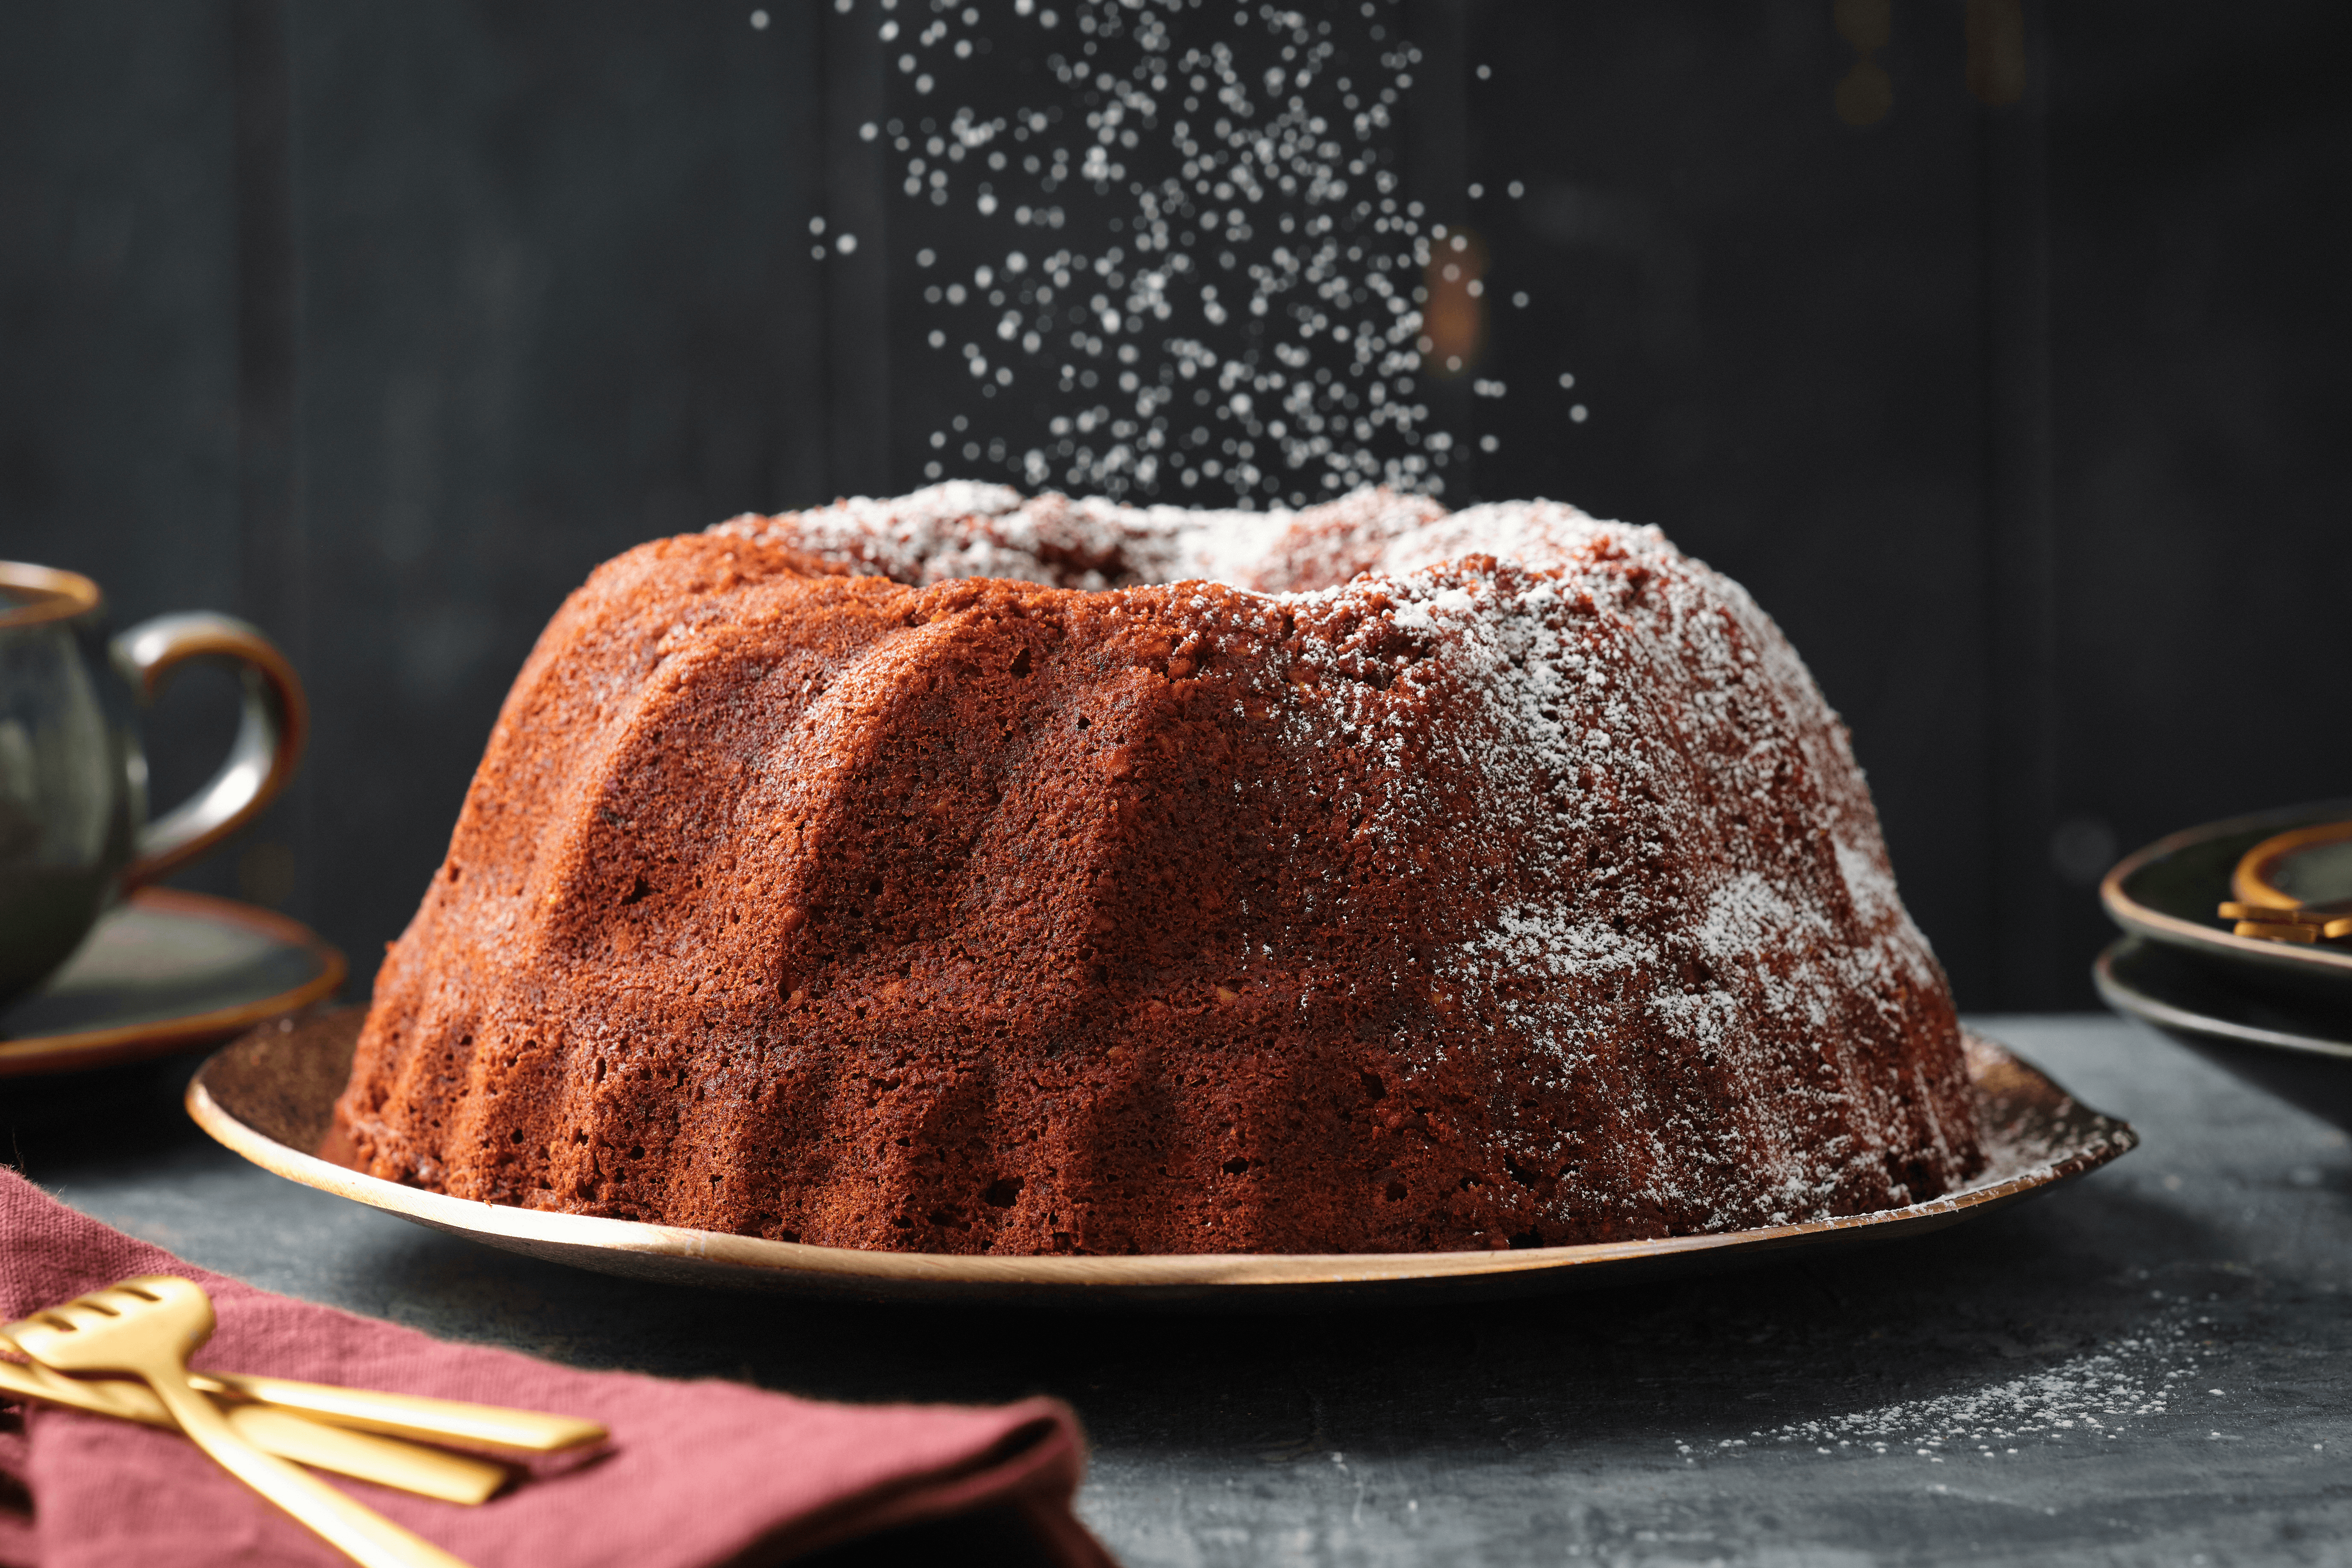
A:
74	831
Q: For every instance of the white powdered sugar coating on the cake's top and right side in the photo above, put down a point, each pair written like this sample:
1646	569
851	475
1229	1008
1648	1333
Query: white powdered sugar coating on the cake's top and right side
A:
1596	692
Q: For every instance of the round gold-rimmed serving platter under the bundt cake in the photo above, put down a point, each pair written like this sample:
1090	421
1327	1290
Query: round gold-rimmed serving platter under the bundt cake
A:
269	1097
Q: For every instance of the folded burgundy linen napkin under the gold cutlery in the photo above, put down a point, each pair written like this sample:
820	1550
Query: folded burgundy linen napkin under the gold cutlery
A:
695	1475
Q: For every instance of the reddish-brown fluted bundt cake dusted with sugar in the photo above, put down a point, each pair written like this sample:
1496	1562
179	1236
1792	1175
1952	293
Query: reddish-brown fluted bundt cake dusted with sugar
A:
968	873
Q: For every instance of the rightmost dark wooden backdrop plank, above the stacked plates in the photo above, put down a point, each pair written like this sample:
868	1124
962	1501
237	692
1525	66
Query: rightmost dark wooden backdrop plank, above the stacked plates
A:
2200	255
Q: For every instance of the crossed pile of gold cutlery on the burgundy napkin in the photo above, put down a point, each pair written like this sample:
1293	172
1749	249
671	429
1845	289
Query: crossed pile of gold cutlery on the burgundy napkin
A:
126	1353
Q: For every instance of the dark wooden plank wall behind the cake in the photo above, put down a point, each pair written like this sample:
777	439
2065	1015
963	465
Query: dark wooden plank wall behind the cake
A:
385	321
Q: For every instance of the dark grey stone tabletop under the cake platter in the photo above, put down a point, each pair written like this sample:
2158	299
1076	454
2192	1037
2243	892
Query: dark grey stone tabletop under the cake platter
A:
2146	1367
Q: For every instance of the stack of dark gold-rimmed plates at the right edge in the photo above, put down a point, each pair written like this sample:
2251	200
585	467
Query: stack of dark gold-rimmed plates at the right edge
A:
2278	1014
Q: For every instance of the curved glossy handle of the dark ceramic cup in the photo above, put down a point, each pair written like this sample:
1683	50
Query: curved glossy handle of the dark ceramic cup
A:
269	737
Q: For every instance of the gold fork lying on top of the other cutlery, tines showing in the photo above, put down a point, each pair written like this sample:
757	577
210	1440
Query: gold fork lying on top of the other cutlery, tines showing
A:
149	1327
